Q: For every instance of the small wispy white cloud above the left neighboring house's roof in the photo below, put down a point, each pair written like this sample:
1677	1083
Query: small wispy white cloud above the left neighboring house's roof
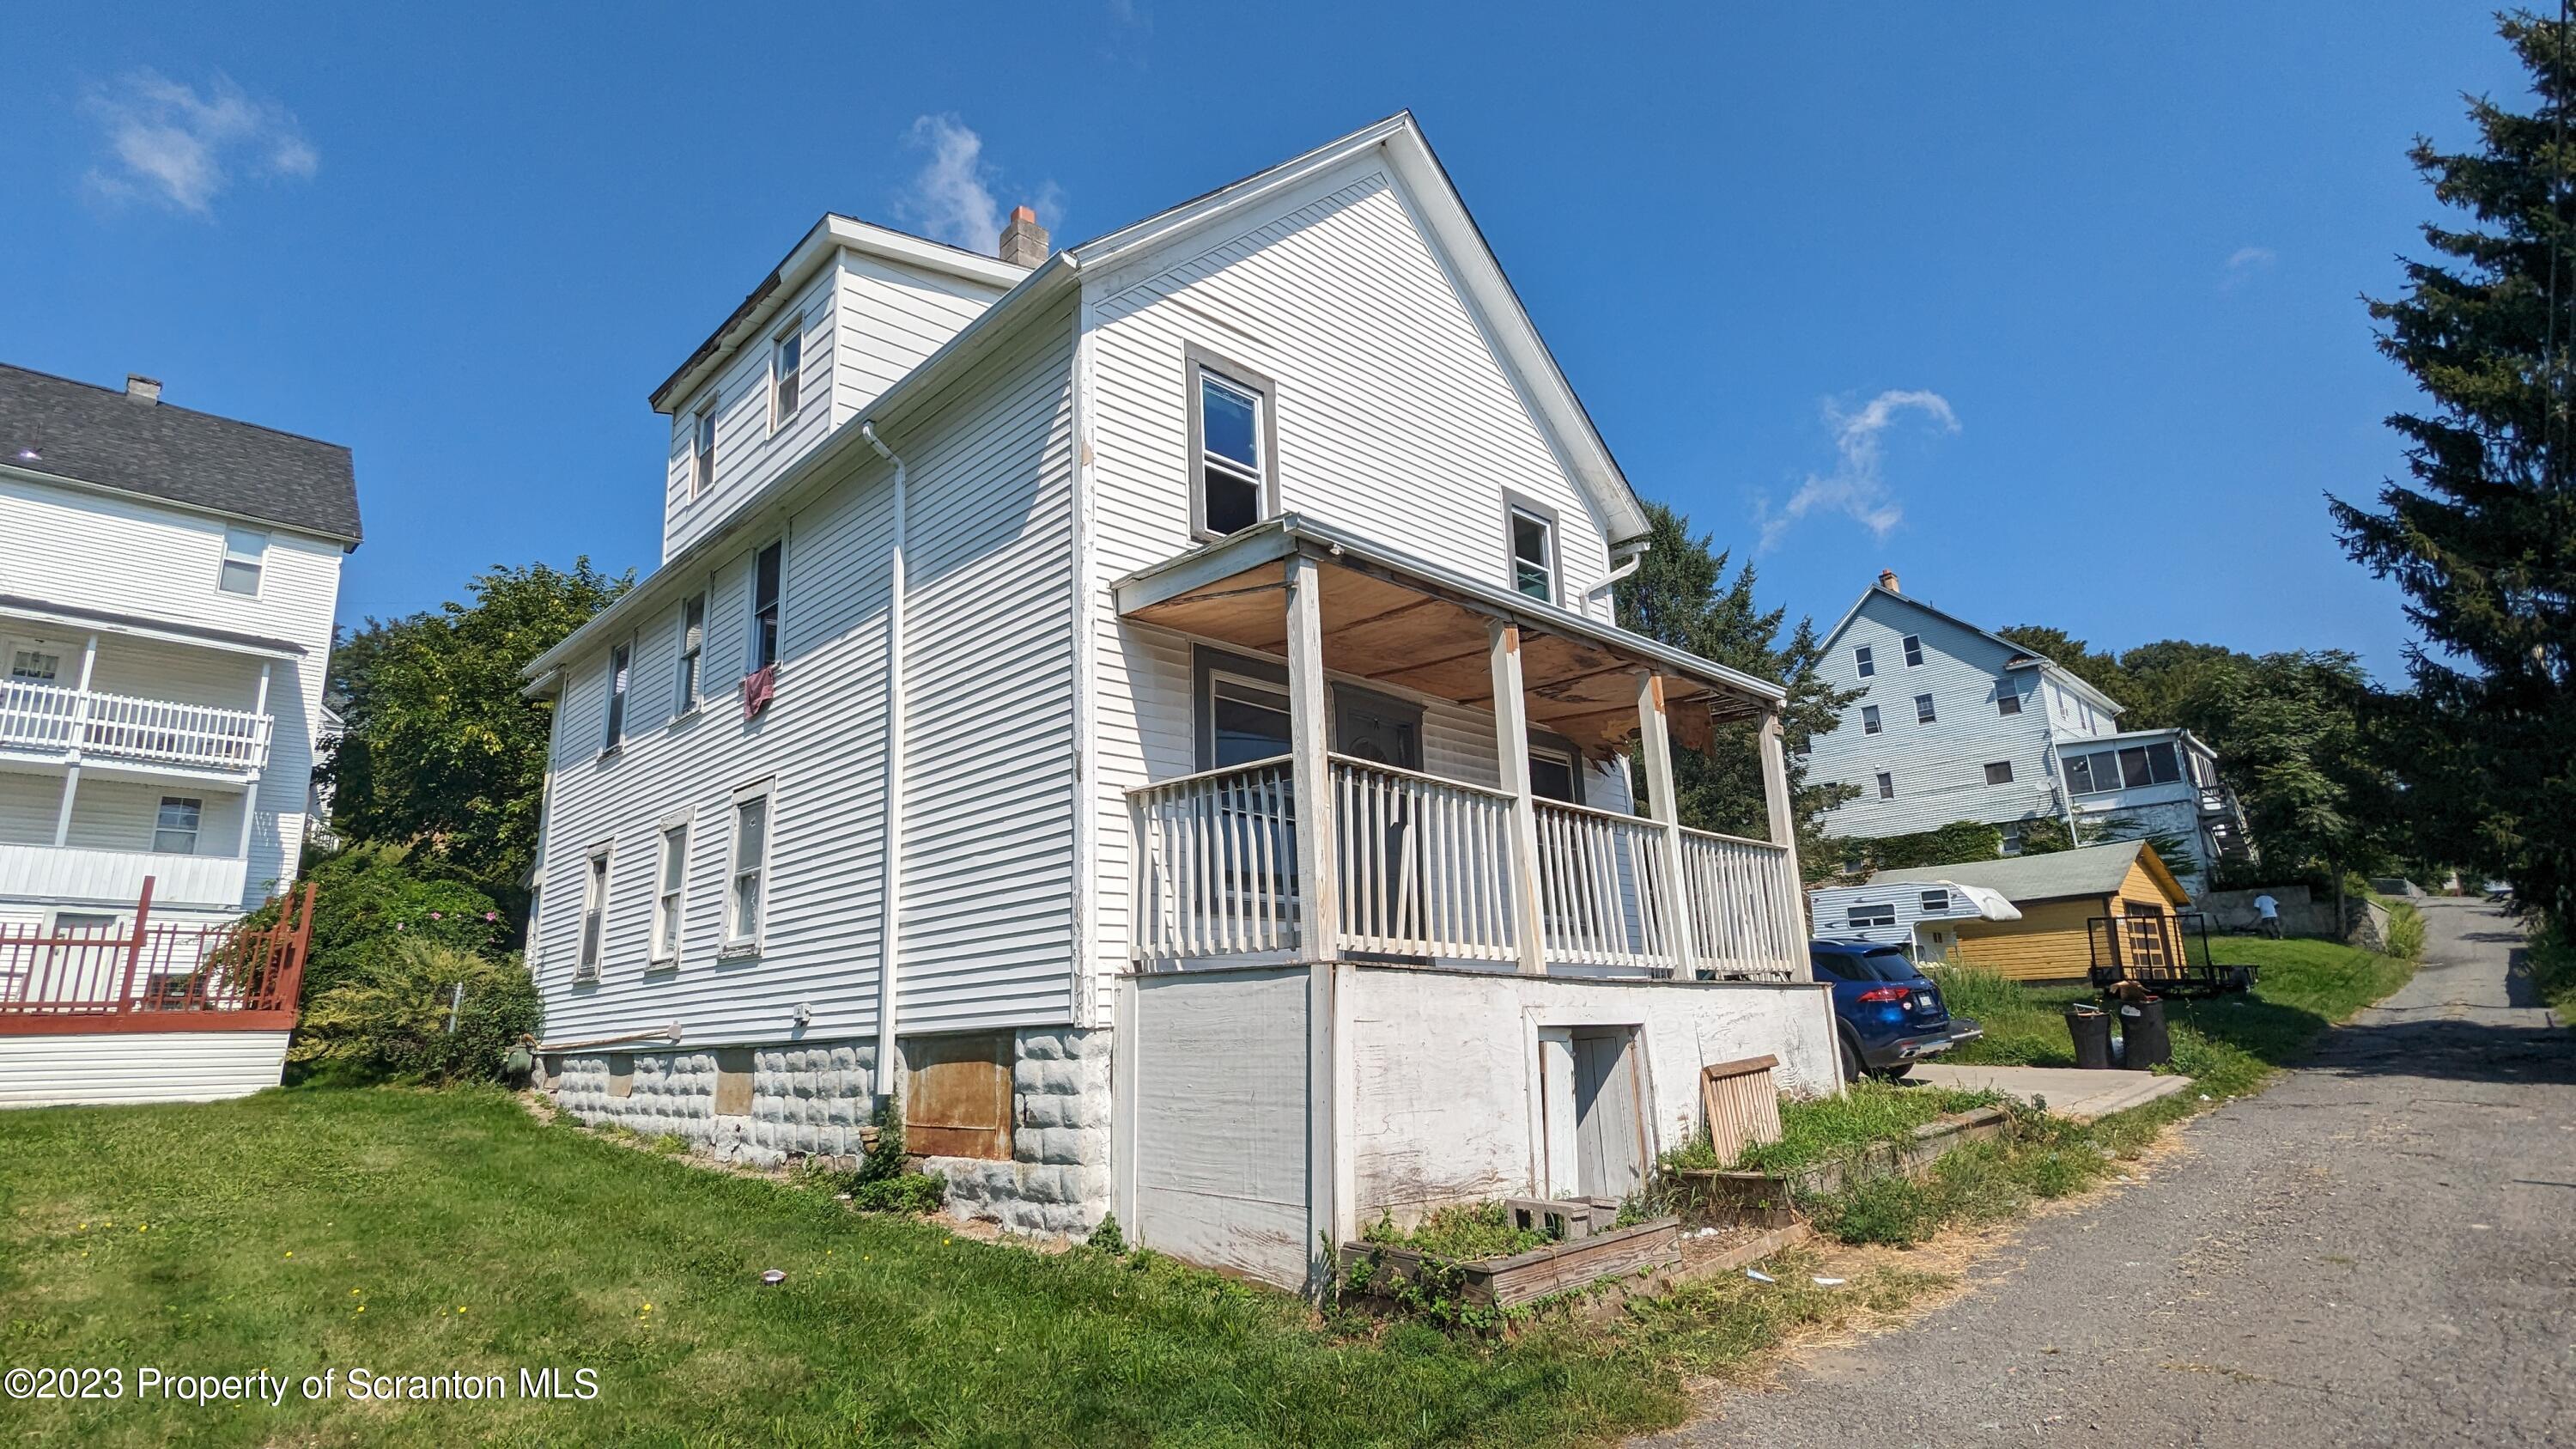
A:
182	148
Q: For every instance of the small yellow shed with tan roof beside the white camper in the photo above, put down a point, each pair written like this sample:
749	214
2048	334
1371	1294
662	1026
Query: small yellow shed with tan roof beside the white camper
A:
2060	899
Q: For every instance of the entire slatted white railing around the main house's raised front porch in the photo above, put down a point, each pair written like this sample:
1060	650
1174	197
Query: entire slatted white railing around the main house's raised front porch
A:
1426	870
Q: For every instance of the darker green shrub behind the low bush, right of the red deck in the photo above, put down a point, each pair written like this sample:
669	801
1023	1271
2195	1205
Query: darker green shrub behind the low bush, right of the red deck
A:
375	899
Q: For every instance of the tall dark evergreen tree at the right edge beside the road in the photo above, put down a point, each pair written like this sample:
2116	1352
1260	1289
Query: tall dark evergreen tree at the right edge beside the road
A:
2482	535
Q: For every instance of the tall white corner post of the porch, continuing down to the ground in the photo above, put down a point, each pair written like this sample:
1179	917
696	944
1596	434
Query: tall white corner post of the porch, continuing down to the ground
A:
1331	1167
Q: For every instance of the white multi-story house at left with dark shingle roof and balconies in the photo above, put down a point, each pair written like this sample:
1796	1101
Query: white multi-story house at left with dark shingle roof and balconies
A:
166	612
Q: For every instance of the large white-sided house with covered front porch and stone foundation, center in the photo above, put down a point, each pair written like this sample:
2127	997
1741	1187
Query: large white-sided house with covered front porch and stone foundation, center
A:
1163	697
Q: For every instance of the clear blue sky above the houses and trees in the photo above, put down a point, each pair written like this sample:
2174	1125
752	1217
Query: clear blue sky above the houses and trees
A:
2052	308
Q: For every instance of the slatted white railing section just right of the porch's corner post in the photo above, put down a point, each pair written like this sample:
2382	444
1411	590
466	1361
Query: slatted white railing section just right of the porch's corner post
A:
1426	865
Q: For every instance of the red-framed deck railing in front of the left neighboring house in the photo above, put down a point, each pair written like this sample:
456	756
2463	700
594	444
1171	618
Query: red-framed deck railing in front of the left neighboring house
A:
156	978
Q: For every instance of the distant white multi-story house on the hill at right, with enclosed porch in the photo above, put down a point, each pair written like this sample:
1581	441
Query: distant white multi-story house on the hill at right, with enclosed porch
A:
1956	723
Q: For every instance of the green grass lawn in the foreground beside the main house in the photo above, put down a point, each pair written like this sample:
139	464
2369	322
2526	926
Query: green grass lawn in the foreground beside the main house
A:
424	1234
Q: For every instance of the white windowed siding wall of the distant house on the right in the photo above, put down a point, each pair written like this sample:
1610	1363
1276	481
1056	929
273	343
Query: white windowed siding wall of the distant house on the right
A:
1941	767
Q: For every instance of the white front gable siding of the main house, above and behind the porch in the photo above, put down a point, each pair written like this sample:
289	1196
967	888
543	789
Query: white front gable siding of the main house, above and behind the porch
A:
1392	414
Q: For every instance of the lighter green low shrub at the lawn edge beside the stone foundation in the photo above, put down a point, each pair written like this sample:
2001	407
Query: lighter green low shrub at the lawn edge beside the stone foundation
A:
390	1017
